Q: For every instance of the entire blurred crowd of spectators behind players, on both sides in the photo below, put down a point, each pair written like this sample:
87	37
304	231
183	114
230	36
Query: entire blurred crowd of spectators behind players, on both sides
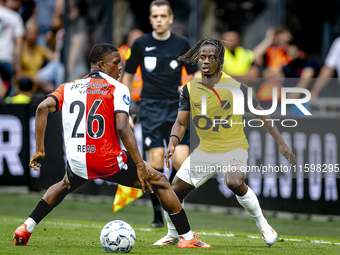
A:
32	38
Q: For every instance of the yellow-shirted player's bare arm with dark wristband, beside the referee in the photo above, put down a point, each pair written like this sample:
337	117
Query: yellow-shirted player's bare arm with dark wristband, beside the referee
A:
177	133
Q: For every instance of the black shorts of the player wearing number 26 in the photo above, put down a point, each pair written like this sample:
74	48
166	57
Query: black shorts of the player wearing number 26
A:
124	177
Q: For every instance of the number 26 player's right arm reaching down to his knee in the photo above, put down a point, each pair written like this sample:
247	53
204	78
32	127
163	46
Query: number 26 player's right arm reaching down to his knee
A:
129	141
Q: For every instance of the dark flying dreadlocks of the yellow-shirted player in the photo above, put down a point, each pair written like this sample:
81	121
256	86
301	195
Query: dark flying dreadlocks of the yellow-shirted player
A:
191	57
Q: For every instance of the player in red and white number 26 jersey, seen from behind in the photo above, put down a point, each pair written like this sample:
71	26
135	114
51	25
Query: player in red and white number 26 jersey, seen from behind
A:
95	113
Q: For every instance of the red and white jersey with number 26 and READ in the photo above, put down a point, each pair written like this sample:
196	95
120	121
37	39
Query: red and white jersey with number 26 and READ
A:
88	109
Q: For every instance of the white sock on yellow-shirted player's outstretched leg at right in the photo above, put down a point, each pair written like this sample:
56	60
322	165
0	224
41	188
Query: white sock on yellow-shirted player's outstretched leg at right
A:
251	204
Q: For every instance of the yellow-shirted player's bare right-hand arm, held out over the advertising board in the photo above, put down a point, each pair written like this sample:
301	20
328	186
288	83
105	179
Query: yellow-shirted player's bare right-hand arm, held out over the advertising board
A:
271	128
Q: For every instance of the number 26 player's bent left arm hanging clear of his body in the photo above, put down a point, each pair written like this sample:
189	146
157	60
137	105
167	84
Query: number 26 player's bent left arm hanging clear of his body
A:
43	109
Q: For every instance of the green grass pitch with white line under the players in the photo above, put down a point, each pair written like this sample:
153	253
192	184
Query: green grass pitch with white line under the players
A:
74	228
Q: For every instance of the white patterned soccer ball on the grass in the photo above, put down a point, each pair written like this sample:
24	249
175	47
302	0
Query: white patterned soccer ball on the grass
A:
117	236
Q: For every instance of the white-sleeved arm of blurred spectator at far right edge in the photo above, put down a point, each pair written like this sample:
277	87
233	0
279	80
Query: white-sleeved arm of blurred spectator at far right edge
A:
332	63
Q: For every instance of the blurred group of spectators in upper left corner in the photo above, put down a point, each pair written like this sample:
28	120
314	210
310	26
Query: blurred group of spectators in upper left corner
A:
31	40
